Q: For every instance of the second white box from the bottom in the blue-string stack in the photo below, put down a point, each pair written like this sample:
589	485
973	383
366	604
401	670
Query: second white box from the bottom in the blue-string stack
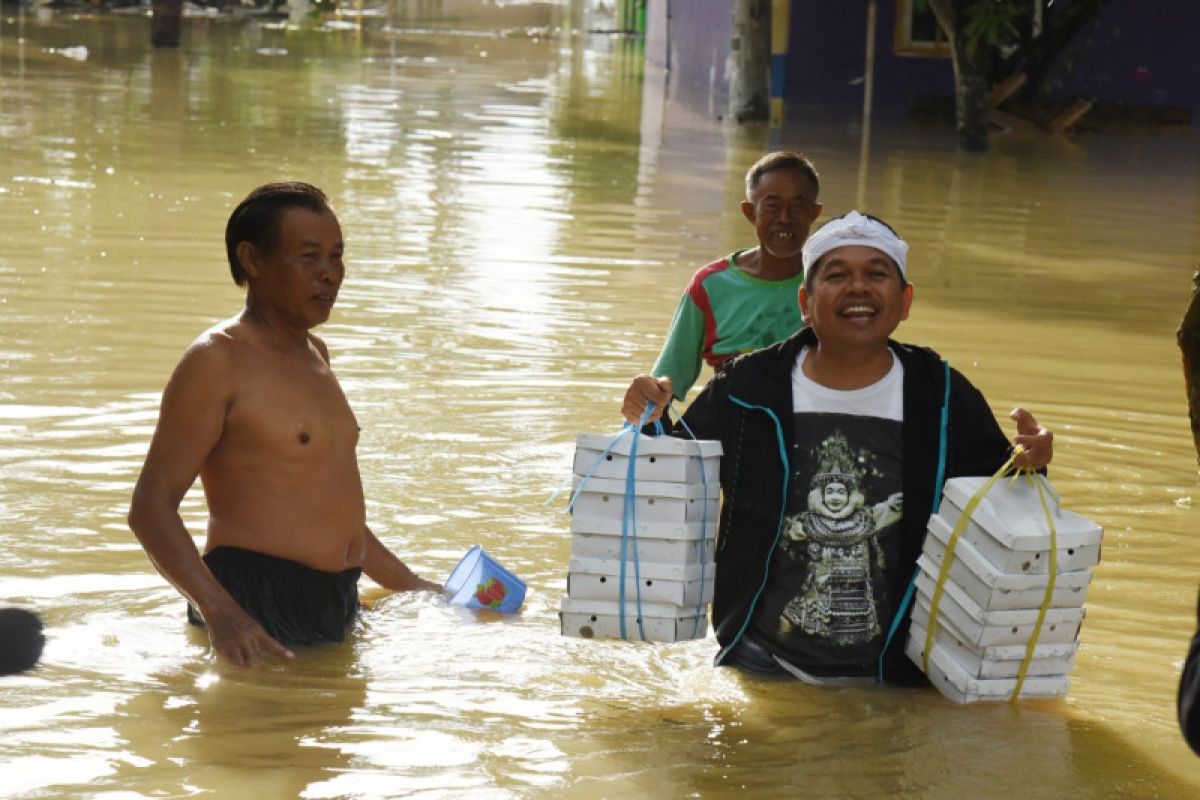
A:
658	584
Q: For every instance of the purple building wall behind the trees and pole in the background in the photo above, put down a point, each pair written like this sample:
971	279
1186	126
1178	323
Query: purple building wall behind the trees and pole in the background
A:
1133	53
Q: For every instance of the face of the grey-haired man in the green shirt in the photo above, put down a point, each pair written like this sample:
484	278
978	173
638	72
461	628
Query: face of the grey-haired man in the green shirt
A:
783	207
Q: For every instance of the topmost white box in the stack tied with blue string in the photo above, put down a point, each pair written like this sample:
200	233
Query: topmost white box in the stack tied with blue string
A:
659	459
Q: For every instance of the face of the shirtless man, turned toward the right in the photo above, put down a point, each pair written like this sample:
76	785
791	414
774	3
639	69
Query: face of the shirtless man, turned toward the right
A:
301	276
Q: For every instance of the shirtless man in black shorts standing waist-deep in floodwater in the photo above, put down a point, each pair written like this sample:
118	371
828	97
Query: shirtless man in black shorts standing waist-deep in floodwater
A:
256	412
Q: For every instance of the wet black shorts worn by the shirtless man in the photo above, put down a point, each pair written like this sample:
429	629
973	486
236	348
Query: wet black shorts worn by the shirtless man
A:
293	603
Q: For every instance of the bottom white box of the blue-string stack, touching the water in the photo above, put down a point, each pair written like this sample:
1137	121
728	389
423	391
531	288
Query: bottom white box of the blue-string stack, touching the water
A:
659	622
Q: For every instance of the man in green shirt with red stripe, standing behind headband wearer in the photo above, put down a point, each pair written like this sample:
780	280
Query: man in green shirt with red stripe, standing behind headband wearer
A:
746	300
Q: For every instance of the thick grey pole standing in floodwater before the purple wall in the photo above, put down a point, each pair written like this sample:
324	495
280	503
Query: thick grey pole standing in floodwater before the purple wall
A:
749	67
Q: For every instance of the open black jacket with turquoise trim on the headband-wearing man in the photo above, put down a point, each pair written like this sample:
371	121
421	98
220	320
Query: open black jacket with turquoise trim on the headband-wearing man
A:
748	407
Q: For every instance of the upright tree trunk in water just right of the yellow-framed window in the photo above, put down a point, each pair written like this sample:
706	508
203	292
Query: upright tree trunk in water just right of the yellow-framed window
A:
973	65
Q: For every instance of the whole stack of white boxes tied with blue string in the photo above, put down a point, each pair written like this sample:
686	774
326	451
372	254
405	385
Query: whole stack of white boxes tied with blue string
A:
668	552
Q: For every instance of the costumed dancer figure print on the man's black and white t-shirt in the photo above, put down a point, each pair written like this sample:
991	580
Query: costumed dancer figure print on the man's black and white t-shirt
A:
827	582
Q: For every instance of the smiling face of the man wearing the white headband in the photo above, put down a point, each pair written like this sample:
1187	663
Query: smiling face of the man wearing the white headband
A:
855	298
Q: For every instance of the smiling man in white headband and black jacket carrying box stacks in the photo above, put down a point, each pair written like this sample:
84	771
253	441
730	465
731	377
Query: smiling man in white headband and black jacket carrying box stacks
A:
831	467
